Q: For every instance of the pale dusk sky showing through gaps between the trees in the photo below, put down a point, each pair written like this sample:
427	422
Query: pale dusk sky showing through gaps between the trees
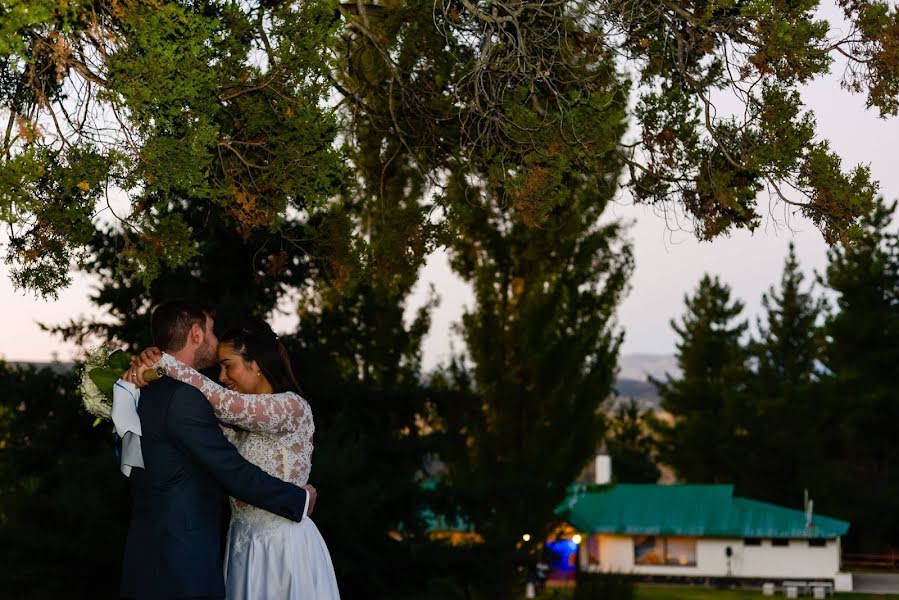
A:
668	264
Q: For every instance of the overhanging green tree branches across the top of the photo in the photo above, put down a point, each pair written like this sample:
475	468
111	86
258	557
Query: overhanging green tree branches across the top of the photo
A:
243	105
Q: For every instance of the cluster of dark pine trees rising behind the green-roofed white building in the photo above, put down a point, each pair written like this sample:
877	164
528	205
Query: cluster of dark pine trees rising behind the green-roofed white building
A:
806	401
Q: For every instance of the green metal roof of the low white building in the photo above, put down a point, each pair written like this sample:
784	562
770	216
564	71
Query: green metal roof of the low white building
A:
688	510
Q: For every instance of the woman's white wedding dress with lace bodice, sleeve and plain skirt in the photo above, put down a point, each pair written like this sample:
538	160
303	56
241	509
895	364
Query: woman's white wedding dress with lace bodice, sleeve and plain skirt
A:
268	557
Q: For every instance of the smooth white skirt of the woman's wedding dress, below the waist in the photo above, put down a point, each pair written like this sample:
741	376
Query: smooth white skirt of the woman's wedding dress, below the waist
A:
278	560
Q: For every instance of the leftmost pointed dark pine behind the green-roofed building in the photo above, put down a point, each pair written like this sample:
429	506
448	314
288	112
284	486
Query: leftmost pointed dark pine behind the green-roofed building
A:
706	441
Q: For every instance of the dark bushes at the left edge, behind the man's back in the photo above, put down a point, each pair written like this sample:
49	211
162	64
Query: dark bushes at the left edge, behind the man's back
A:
63	502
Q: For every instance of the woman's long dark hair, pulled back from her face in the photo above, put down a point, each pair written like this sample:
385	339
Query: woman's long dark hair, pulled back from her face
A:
253	339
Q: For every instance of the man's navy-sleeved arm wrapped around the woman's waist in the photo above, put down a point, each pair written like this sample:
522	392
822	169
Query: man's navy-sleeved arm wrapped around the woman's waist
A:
192	423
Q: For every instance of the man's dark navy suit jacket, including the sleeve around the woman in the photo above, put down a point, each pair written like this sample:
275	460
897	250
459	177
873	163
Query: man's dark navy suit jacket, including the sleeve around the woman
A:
174	537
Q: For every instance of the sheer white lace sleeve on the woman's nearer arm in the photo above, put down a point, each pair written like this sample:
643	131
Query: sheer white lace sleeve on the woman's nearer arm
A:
269	413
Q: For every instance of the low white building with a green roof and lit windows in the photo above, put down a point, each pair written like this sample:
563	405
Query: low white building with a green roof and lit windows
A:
702	531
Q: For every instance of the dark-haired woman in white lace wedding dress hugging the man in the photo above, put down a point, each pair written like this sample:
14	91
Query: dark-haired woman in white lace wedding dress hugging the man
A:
267	556
